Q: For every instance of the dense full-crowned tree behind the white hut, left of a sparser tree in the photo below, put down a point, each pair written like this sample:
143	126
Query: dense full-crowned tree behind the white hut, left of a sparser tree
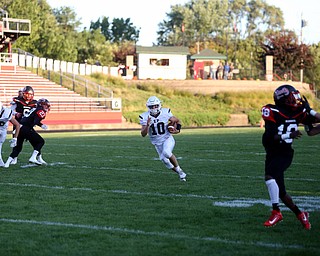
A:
200	20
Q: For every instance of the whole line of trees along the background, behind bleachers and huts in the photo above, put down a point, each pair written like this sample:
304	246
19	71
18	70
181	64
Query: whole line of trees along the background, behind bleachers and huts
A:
245	31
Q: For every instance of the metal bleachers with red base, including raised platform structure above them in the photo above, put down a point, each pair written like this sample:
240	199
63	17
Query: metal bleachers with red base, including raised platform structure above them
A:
69	110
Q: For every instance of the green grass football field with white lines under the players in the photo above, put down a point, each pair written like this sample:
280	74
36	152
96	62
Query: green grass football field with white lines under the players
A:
107	193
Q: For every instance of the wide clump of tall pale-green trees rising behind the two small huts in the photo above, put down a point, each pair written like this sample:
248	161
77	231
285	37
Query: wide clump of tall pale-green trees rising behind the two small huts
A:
207	20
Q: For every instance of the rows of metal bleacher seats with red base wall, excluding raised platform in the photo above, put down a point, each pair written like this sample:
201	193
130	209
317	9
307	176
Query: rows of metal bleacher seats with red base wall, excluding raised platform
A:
67	107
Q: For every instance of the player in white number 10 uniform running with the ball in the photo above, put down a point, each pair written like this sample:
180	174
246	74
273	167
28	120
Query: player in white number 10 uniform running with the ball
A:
154	122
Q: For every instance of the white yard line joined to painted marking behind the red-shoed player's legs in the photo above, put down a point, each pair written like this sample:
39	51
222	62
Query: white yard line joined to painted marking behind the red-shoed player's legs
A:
310	203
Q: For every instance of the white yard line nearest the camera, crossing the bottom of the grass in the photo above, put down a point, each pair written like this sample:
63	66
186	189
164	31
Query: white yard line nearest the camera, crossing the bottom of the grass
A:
152	233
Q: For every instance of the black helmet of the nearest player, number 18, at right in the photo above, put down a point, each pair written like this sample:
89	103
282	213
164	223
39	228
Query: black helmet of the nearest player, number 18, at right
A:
287	96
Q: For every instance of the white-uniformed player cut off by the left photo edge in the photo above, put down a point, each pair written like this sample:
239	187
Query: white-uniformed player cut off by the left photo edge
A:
6	116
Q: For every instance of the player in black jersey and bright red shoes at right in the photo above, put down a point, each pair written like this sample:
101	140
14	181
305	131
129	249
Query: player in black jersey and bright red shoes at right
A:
281	128
